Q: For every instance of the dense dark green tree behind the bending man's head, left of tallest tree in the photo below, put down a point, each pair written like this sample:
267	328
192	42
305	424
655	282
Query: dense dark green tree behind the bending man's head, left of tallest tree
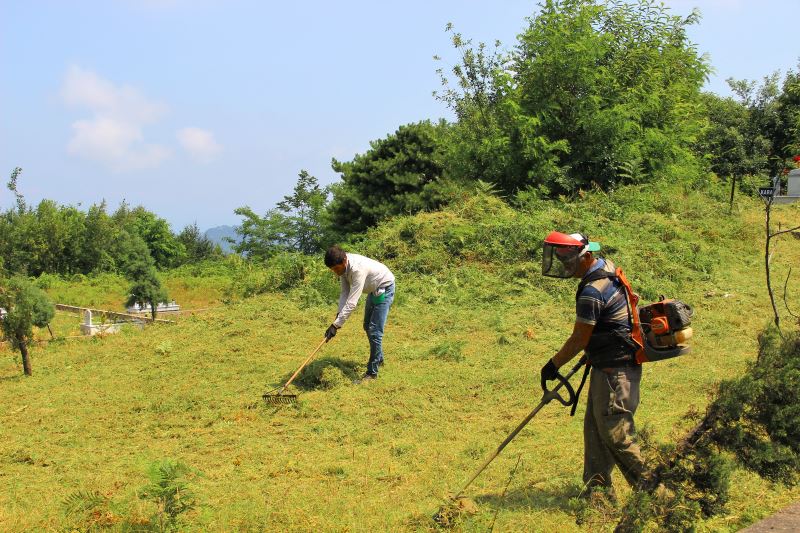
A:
401	174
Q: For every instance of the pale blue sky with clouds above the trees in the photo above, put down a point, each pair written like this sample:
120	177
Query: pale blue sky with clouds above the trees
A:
195	108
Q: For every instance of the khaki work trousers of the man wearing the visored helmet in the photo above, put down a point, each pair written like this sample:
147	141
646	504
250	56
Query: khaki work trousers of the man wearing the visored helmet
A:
608	429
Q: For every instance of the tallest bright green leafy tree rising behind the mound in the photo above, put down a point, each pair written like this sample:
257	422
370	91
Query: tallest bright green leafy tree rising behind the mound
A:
594	93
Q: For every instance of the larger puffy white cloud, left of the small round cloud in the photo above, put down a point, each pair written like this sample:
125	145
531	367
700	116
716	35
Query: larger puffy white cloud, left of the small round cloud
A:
113	134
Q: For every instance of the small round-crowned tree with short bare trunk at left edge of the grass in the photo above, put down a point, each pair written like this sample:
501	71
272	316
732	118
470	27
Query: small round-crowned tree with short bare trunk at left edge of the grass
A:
26	306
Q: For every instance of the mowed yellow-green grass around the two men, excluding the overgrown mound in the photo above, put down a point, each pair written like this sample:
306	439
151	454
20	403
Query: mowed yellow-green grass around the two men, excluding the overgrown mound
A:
381	456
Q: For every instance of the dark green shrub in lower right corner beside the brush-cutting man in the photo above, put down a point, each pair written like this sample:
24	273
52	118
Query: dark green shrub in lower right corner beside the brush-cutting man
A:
754	419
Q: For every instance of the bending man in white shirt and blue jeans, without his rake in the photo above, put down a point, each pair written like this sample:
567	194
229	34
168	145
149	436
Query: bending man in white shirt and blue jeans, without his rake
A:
358	274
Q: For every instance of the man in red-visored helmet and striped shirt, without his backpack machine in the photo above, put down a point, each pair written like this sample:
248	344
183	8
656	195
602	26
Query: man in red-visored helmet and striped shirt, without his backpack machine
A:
603	331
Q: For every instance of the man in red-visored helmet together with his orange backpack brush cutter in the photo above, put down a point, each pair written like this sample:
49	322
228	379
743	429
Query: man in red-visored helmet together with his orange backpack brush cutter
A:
617	336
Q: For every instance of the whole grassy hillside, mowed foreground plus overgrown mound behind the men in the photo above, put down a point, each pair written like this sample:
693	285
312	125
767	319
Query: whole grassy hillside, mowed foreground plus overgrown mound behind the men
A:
472	324
